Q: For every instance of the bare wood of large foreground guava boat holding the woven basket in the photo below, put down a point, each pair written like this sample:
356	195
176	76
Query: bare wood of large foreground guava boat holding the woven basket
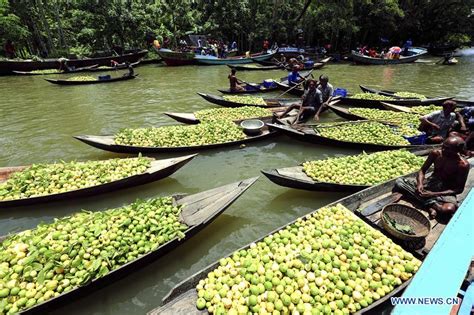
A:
366	204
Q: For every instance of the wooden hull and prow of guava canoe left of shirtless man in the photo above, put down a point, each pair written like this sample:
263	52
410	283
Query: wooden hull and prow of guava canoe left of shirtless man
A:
295	177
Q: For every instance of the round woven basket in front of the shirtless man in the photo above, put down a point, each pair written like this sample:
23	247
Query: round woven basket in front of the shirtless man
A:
408	216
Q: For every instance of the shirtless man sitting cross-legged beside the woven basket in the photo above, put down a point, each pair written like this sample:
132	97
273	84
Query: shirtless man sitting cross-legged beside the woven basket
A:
438	192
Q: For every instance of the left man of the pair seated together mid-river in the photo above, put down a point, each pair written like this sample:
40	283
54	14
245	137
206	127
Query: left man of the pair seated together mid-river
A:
310	103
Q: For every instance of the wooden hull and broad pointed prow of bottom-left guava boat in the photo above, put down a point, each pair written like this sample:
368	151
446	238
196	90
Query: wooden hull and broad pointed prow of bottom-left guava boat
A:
198	211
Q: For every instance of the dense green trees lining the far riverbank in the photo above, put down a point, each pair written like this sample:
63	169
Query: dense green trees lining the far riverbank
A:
57	28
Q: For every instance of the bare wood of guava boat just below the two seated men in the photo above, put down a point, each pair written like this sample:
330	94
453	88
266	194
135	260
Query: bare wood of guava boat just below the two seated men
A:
308	134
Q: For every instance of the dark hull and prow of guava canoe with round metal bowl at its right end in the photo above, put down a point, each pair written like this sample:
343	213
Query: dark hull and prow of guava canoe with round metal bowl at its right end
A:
107	143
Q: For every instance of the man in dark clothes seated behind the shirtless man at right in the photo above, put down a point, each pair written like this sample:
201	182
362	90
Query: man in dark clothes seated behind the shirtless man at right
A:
438	124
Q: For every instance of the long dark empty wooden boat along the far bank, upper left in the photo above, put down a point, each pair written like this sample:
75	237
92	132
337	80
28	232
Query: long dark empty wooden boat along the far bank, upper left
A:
8	66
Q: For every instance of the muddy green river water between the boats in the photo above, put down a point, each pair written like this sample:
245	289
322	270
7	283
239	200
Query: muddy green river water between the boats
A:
38	120
